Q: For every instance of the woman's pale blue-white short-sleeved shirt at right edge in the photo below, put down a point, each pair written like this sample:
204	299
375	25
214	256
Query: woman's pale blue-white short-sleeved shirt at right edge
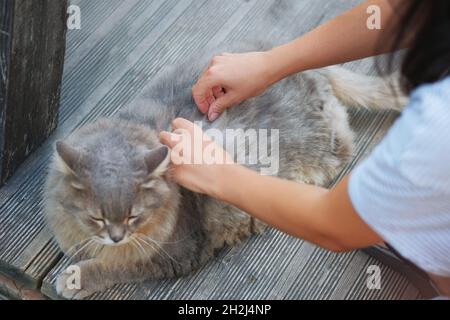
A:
403	189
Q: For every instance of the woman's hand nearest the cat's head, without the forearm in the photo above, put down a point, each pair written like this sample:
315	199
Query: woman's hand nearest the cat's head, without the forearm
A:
197	161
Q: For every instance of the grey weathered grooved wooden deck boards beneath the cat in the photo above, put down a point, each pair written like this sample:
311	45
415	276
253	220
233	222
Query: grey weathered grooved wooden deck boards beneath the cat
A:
120	47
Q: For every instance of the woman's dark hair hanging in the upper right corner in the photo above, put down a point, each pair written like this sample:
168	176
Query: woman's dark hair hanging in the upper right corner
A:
428	23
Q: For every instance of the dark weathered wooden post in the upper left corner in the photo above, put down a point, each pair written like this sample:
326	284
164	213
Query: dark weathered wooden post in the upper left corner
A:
32	57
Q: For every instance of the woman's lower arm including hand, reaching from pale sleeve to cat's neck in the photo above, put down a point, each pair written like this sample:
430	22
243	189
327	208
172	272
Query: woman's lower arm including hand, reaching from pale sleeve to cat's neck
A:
321	216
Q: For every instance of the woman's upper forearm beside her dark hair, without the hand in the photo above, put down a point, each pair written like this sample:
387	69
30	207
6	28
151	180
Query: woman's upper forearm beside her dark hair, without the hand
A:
345	38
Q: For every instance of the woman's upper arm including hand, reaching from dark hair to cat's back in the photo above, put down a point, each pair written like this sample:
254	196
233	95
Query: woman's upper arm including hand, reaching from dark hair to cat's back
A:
226	81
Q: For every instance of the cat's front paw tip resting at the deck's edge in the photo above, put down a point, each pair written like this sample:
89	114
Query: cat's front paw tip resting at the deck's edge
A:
68	286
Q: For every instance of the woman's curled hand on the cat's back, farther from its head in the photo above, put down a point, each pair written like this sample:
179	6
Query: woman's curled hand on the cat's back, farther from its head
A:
232	78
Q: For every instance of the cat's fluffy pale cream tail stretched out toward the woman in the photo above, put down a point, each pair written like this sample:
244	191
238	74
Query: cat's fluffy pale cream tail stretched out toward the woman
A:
358	90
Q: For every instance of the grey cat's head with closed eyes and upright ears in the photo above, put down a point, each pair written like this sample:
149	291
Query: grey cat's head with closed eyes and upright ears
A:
114	193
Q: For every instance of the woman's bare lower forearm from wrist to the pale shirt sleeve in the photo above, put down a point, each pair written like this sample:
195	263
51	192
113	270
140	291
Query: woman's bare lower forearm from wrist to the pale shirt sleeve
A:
320	216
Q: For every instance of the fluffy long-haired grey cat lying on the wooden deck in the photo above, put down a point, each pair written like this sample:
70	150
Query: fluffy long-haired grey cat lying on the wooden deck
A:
114	208
